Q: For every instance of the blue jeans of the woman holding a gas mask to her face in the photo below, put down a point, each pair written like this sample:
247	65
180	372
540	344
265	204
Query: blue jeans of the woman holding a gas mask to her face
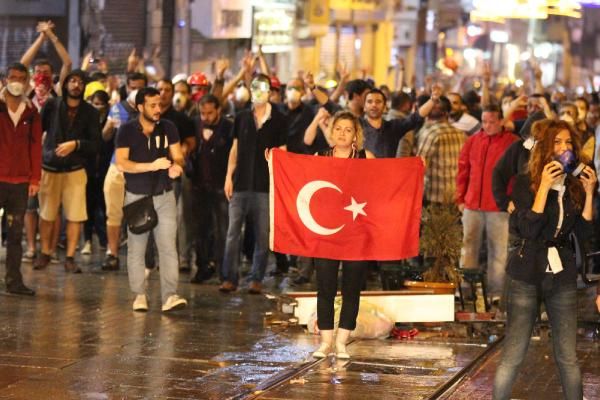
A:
522	309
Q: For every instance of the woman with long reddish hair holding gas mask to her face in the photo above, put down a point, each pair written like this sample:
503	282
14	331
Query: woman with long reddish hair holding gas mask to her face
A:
552	200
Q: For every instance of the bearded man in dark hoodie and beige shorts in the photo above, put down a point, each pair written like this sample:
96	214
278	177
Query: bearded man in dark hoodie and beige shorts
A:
72	134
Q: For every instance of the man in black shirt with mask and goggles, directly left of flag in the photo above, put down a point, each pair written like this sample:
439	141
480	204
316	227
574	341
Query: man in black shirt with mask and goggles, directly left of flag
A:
247	182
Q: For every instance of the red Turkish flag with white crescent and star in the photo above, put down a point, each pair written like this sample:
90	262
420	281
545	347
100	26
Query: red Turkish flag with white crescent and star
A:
345	209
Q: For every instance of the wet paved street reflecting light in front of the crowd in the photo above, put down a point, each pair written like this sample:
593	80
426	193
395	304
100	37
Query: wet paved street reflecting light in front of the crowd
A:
78	339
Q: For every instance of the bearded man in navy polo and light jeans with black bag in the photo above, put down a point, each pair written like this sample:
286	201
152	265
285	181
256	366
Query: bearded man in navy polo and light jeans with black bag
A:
148	152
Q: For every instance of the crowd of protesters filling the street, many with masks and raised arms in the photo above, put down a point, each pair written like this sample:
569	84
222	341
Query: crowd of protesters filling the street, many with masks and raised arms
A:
77	146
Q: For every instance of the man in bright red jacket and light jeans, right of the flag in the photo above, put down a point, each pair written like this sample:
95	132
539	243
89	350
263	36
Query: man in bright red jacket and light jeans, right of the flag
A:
475	199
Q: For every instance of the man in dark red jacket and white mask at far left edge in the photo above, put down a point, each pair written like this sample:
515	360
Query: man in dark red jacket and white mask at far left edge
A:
20	167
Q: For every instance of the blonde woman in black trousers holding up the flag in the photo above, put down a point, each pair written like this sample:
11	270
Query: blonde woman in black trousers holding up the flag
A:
346	137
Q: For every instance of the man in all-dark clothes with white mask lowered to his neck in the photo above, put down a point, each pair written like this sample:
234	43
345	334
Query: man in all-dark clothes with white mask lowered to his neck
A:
209	166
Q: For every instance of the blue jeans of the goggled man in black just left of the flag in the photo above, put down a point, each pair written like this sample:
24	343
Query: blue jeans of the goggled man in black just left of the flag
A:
256	205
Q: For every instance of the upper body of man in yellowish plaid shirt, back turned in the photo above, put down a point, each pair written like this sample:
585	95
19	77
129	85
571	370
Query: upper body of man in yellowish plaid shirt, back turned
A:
439	144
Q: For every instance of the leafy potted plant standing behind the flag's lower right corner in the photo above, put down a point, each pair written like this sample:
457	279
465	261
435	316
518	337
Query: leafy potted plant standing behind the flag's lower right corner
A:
440	243
